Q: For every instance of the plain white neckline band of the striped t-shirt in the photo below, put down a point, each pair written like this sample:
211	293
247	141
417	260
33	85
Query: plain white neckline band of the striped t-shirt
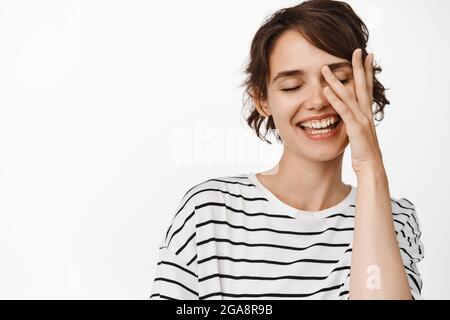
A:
303	214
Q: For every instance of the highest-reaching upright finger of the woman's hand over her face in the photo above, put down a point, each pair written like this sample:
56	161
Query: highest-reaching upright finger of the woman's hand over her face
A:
360	82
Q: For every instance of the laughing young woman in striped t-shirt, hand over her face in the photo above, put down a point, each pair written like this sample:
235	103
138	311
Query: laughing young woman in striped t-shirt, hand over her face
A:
297	231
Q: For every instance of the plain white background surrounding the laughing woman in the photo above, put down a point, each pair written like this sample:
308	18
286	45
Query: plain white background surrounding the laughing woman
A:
111	110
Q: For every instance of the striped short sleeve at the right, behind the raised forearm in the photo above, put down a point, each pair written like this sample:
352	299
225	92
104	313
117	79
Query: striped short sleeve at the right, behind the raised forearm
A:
411	248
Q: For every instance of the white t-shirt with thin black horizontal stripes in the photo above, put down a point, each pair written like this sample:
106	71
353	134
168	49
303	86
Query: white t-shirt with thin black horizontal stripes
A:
231	238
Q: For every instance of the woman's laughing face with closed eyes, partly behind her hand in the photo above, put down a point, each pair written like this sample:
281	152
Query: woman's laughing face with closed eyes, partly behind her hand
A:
305	97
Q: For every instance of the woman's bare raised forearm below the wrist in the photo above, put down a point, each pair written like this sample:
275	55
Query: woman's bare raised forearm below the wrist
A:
377	270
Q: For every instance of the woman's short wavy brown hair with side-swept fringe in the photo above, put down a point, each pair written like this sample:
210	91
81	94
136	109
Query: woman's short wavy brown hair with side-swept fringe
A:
329	25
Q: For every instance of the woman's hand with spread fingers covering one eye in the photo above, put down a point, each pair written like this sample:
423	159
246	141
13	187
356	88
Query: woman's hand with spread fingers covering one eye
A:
356	112
